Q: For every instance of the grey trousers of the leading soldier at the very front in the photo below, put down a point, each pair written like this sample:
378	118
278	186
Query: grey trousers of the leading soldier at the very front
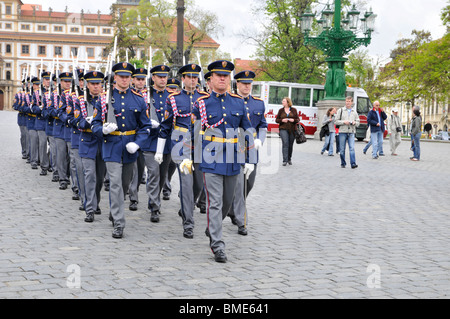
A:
219	199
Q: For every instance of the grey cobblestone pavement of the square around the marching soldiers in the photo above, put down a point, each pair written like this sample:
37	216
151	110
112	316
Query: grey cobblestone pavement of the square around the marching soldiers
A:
315	231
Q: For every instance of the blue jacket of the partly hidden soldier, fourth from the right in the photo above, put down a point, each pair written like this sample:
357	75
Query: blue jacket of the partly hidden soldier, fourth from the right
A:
159	101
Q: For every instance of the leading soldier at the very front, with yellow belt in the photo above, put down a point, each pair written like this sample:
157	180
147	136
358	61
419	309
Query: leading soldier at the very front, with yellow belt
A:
221	115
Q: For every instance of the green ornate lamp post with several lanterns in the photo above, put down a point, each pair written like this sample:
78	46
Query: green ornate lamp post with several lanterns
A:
336	40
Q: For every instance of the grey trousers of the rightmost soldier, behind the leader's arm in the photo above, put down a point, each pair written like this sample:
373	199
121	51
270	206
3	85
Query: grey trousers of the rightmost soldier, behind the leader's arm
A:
239	209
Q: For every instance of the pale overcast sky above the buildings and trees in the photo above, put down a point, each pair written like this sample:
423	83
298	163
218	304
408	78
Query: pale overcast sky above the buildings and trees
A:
395	20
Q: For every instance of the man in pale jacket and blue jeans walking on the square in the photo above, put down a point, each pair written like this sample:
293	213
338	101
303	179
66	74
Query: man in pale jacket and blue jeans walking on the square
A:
348	120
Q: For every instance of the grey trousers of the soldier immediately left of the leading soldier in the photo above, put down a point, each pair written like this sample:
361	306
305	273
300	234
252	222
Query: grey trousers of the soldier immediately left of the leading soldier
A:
191	186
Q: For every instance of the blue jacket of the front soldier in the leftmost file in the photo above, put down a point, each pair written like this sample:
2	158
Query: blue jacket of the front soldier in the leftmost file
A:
89	142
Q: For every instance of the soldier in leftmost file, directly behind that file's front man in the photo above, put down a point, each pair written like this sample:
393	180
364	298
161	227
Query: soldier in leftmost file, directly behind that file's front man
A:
59	131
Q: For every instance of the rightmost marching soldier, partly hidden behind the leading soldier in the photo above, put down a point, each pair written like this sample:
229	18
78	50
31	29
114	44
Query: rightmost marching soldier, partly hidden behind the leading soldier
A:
256	109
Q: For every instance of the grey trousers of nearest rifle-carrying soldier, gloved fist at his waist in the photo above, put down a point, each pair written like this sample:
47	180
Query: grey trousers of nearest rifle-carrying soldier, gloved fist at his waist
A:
120	176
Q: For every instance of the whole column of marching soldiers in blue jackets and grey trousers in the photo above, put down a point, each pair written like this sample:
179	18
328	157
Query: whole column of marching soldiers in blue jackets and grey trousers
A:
87	125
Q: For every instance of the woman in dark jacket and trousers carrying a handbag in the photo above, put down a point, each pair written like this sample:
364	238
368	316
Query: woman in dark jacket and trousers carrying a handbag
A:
287	118
